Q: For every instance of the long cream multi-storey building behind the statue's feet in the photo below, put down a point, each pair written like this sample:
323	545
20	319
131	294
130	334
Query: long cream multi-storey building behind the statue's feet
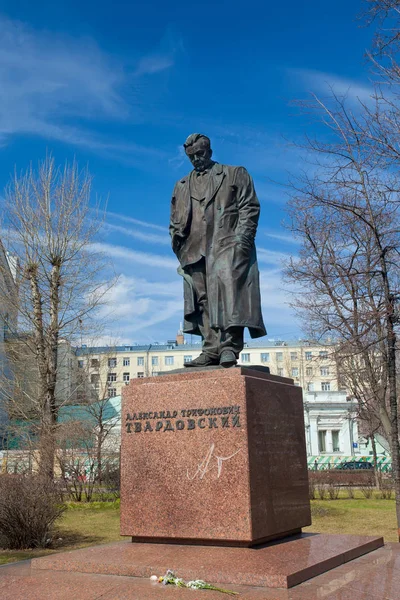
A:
108	369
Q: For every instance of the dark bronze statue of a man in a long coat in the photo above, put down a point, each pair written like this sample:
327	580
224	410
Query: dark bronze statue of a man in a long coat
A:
214	217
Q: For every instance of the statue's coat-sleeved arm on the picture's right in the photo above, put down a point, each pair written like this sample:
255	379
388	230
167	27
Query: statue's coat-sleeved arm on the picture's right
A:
249	208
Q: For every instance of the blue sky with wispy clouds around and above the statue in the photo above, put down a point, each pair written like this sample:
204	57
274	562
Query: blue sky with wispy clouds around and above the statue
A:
120	86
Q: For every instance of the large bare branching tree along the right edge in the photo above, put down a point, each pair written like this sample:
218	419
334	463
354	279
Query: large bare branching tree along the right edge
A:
346	215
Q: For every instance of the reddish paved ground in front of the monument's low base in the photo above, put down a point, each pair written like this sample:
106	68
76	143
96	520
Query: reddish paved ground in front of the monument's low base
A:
375	576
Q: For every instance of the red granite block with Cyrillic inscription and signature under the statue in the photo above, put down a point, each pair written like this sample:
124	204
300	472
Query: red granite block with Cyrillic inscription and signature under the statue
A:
213	457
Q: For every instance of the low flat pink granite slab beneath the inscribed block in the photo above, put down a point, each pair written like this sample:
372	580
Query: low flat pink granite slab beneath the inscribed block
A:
278	565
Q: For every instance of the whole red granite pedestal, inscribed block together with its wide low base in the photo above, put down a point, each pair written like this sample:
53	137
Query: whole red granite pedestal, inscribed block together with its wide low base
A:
217	458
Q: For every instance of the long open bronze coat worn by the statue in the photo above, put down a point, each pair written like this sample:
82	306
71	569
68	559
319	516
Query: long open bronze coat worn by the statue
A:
231	212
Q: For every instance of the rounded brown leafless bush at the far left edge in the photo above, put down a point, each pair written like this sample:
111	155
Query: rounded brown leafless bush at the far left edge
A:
29	507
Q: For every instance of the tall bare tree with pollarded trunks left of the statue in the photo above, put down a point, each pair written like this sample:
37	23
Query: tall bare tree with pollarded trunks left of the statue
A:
52	226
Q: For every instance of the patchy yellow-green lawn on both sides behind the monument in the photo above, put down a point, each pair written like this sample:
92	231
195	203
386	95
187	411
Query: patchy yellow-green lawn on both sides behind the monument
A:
98	523
